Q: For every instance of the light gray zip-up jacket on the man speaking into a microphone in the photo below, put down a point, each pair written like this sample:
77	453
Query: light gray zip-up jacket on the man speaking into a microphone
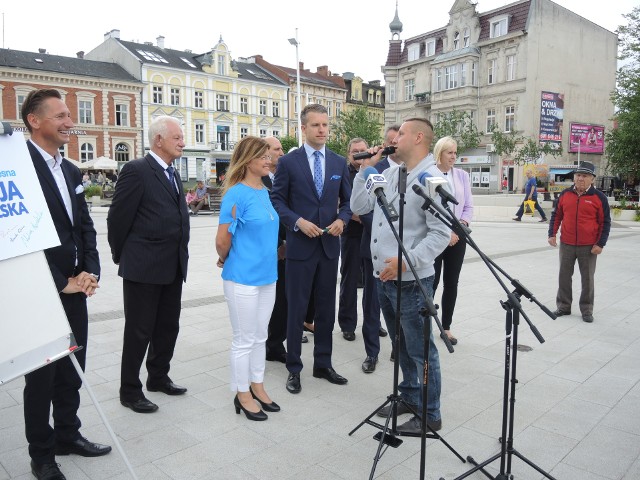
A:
424	236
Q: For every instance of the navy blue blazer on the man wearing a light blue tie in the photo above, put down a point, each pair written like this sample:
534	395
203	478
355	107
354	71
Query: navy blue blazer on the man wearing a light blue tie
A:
294	196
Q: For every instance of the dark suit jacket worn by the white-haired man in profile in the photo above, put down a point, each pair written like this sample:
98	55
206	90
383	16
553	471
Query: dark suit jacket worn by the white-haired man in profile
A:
148	224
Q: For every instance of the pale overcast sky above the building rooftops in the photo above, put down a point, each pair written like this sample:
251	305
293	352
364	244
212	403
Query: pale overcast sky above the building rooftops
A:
346	35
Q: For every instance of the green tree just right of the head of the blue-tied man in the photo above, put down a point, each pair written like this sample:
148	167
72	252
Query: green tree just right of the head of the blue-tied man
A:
356	122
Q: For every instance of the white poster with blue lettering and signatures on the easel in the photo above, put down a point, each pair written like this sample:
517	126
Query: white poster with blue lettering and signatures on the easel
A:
26	225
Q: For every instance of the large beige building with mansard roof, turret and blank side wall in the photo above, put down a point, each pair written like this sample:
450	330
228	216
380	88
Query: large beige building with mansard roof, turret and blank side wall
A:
531	66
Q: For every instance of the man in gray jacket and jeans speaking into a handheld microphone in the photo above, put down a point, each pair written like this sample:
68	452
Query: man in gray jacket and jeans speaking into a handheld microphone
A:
425	237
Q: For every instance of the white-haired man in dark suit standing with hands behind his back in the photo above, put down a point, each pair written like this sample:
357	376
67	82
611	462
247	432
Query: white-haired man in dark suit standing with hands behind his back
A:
148	232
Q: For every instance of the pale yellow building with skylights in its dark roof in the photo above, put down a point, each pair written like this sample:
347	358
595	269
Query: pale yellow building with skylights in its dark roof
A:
219	100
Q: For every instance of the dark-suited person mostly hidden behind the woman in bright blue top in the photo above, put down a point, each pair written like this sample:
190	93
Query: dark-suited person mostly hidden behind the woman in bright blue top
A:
278	321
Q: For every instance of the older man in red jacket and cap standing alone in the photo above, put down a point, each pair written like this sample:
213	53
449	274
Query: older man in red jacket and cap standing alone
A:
582	215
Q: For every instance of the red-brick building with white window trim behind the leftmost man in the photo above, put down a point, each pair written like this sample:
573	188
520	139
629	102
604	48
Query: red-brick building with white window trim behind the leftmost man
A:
103	98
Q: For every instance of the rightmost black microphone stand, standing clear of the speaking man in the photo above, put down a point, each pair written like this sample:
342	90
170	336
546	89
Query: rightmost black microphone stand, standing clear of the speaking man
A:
513	309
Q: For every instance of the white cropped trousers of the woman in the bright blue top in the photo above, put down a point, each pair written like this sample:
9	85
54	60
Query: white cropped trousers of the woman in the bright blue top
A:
249	311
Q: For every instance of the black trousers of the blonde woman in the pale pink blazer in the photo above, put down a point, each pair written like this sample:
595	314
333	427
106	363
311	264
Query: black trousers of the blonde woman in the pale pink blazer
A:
450	263
